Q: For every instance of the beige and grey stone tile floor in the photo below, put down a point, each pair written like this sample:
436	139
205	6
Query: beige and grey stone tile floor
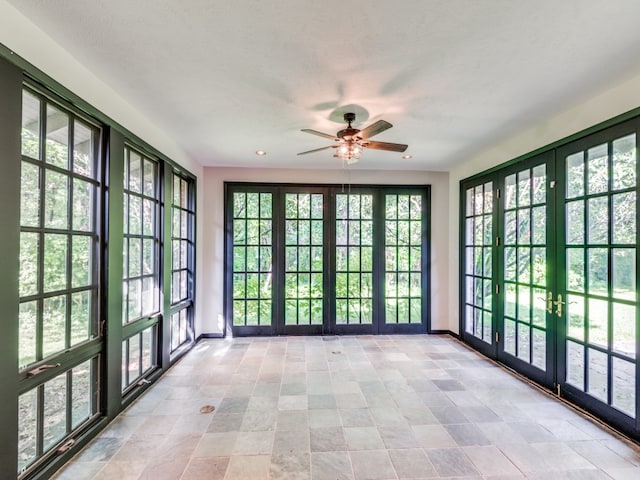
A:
353	407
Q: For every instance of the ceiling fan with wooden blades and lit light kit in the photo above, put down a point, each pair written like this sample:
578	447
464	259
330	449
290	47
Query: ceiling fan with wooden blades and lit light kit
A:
351	141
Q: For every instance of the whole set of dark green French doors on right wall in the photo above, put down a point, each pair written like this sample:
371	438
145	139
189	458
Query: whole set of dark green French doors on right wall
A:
550	271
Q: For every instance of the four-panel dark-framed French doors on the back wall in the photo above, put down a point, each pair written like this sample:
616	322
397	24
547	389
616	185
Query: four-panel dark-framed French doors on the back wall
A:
320	260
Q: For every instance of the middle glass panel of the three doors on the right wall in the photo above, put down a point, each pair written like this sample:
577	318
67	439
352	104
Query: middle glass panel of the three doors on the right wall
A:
525	290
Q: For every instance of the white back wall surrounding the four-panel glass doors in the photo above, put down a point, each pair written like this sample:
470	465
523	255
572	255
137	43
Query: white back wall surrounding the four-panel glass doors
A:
211	300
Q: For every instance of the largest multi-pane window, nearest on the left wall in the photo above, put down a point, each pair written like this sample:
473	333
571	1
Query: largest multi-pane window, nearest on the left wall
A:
59	345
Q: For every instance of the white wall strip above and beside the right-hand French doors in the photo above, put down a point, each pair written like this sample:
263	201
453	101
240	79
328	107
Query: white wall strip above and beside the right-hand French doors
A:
610	103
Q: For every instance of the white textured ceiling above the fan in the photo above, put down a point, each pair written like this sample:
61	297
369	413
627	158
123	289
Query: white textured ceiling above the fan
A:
228	77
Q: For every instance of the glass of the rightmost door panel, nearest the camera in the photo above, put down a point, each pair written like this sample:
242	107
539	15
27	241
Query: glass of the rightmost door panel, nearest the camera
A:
598	302
